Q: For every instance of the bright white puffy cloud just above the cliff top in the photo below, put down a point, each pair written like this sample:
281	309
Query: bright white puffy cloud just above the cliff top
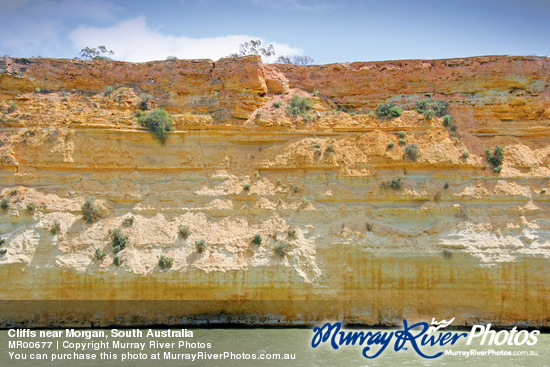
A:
133	40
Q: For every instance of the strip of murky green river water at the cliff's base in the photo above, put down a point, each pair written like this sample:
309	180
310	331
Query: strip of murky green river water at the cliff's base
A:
244	345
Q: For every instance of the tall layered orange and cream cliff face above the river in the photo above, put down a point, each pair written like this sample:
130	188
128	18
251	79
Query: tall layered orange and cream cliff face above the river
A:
455	240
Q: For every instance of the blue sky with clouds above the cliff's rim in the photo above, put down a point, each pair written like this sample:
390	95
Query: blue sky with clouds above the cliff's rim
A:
327	31
